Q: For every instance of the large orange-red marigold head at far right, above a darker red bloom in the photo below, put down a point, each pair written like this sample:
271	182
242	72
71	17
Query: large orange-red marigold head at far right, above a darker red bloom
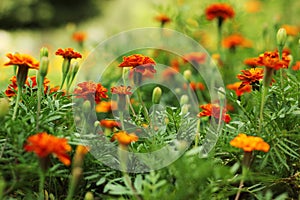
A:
271	60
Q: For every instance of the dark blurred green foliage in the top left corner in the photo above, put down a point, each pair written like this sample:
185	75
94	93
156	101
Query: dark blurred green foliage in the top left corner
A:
18	14
